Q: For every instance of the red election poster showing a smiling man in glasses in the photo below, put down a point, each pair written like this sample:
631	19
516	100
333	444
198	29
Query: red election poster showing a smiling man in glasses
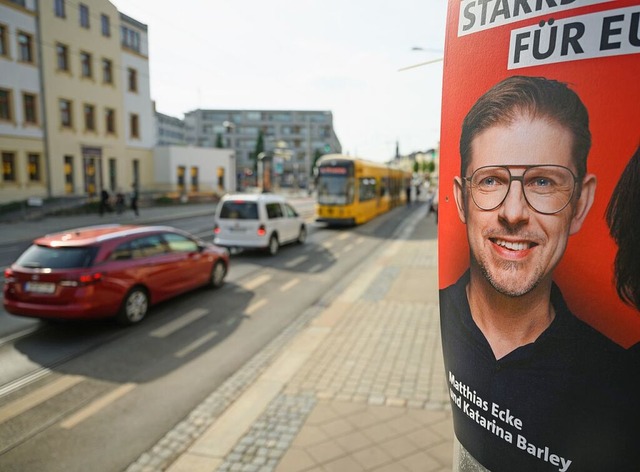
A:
540	304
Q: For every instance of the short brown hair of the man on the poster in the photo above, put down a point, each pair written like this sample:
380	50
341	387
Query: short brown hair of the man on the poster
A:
536	97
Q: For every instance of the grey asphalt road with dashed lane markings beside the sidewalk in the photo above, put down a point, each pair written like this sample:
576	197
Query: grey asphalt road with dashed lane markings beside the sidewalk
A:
93	396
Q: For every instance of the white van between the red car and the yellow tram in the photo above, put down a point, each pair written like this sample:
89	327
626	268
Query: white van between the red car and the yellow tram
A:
257	221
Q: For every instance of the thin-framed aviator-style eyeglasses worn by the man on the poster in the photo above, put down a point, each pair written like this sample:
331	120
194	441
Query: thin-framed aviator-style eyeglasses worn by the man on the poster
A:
548	189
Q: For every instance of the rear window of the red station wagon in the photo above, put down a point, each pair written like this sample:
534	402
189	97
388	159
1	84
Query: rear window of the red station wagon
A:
45	257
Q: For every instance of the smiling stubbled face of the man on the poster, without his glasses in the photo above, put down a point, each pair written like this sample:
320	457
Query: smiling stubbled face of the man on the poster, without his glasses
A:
513	246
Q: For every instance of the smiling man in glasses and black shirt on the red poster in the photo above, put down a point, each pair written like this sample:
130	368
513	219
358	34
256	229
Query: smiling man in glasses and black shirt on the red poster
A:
532	387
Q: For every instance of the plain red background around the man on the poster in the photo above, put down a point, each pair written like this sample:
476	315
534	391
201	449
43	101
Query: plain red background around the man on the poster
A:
610	89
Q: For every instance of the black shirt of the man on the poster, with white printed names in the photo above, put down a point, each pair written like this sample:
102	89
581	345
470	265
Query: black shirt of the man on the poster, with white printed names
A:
566	402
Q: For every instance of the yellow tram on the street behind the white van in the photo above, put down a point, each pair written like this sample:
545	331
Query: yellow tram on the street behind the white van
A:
352	191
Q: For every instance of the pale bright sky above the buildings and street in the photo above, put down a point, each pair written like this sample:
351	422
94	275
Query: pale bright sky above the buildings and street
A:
343	56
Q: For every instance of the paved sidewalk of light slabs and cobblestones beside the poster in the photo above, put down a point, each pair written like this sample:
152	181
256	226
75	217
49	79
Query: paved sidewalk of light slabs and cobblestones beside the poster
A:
357	385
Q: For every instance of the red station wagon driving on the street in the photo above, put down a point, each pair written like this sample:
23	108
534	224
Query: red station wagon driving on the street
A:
109	271
